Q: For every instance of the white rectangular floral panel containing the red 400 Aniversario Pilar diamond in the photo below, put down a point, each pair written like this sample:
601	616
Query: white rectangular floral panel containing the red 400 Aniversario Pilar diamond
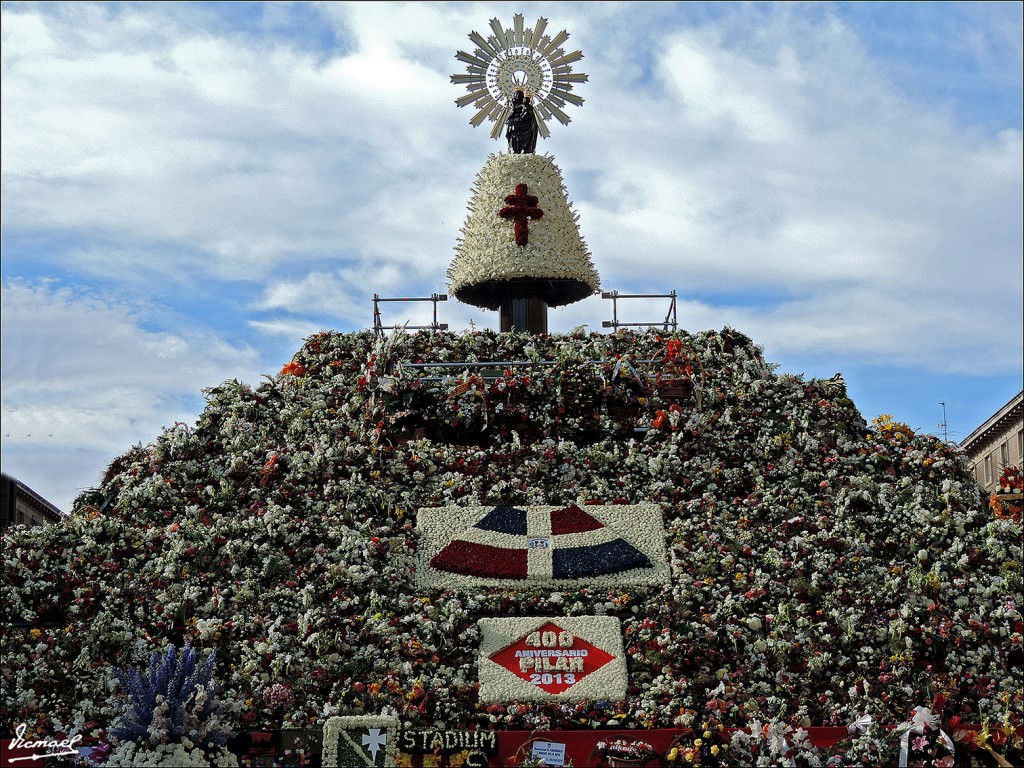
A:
568	659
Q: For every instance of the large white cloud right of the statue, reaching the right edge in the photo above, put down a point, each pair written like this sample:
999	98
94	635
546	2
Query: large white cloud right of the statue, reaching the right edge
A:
786	164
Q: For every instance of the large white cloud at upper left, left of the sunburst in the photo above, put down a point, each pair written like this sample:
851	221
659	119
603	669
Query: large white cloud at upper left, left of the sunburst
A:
203	140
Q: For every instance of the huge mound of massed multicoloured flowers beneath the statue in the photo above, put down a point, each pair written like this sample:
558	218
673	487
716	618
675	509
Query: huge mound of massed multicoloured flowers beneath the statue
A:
818	569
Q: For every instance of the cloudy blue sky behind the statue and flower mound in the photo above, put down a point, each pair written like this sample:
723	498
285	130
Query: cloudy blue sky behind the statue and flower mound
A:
190	190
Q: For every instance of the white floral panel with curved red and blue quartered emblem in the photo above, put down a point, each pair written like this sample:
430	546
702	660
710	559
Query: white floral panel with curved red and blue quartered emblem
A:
474	547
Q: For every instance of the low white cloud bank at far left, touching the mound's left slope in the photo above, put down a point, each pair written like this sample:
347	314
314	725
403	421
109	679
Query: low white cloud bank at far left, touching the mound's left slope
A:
81	374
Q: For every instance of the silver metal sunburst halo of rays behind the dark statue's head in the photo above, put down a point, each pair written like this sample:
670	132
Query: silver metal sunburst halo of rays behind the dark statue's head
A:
514	59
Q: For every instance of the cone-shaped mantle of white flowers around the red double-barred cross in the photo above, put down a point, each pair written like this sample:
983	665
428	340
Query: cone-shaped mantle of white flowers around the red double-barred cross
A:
488	251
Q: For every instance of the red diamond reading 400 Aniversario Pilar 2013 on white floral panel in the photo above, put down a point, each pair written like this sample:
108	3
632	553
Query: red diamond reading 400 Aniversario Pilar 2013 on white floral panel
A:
551	659
